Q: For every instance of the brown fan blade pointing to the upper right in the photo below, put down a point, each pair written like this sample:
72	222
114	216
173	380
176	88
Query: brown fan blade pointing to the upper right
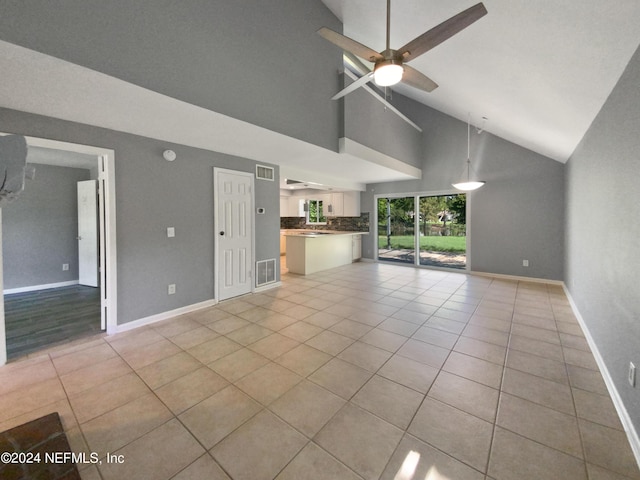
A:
442	32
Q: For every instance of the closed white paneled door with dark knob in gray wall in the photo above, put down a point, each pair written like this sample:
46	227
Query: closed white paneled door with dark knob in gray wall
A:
234	232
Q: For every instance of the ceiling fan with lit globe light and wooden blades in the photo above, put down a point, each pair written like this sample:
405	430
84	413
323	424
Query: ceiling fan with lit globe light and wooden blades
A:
390	65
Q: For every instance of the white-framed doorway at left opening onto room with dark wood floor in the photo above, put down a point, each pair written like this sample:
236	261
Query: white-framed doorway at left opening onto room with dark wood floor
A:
59	286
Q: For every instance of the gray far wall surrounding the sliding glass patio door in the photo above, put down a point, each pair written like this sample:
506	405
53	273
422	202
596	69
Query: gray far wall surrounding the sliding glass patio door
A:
518	214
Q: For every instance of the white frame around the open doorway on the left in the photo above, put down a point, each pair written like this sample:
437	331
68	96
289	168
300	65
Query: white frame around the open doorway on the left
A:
108	259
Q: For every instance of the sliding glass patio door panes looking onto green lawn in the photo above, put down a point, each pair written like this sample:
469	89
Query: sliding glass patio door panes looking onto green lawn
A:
434	226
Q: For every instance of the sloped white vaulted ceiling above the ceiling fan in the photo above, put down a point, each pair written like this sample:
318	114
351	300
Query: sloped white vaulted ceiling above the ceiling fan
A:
538	70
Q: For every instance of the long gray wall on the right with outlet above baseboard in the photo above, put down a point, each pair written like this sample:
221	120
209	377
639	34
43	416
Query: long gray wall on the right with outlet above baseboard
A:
603	228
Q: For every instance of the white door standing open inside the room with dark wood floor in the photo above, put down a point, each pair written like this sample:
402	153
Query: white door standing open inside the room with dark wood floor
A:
88	260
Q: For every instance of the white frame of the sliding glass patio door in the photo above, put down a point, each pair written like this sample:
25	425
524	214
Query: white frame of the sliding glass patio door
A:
416	196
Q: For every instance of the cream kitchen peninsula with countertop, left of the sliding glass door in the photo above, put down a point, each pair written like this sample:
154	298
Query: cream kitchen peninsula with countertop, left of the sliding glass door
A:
310	251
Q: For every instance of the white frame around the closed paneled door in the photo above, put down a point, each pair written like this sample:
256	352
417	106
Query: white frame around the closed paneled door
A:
216	229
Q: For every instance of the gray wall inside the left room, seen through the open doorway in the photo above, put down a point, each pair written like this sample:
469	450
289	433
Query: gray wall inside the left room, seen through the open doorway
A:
39	229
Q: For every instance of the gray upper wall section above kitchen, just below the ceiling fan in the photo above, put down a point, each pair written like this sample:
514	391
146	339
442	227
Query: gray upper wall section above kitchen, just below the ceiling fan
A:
369	122
